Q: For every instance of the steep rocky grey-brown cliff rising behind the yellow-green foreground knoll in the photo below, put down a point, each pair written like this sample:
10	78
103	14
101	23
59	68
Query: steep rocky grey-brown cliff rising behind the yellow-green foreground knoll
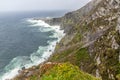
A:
92	40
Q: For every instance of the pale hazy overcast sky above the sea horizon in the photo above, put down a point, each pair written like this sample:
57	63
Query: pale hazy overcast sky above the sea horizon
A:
40	5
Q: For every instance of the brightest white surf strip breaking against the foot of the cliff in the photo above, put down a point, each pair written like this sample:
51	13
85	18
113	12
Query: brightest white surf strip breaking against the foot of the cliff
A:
59	34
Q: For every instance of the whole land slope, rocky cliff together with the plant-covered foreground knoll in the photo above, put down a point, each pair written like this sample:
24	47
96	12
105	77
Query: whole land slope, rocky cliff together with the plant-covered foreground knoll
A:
101	57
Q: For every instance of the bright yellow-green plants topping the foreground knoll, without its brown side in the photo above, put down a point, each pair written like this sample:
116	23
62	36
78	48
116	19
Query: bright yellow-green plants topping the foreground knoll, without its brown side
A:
66	71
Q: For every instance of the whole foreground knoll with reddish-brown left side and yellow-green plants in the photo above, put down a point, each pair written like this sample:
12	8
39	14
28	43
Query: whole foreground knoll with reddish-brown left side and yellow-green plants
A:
55	71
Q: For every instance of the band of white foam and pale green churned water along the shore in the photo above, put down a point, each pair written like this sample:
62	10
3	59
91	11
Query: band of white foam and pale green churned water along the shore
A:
37	57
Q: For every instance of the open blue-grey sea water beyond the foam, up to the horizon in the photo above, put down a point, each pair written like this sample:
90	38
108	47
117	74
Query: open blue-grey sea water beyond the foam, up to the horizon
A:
17	38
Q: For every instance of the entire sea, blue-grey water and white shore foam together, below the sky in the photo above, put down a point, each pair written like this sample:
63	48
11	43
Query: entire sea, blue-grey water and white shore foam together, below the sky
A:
25	42
